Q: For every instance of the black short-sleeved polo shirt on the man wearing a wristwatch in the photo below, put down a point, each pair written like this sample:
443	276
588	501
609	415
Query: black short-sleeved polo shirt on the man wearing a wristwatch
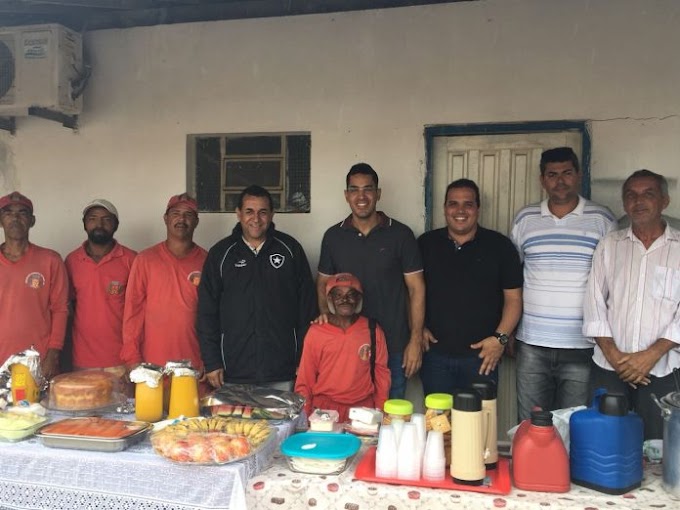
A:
464	287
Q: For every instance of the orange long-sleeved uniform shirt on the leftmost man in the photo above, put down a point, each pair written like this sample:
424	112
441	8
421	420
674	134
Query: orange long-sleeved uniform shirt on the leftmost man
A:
33	302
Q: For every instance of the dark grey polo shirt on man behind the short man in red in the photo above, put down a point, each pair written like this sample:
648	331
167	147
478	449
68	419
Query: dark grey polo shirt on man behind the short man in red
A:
380	260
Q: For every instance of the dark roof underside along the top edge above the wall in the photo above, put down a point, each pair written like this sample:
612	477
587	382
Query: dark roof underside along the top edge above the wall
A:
83	15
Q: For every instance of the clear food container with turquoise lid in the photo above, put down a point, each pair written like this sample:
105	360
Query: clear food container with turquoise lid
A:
319	453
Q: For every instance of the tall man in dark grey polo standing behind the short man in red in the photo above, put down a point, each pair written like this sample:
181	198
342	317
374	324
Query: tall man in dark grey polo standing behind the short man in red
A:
383	254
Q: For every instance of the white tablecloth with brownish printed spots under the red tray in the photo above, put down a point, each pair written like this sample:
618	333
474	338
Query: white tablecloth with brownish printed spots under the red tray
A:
282	489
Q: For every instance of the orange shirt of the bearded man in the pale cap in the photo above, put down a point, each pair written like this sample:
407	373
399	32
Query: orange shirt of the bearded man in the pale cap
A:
98	289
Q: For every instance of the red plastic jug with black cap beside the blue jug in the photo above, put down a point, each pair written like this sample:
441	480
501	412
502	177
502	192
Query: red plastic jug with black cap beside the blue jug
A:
539	458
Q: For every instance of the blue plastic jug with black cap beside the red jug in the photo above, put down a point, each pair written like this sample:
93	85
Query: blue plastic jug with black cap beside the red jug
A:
606	445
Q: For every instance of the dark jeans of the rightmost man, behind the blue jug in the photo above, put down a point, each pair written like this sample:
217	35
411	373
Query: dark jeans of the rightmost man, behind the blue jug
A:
640	399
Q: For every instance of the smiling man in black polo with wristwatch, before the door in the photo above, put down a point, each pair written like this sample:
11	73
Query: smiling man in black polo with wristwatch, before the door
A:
473	278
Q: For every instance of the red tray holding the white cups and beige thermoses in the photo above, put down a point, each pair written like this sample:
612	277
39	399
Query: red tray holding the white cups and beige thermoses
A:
497	480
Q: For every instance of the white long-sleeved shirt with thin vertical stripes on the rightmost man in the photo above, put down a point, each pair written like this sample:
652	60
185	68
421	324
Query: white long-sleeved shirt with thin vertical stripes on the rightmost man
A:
633	296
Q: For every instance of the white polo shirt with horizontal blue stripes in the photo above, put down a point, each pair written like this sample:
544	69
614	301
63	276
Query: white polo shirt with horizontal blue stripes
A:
557	255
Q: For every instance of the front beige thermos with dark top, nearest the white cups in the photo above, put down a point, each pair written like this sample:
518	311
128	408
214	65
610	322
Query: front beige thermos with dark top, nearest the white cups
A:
467	439
